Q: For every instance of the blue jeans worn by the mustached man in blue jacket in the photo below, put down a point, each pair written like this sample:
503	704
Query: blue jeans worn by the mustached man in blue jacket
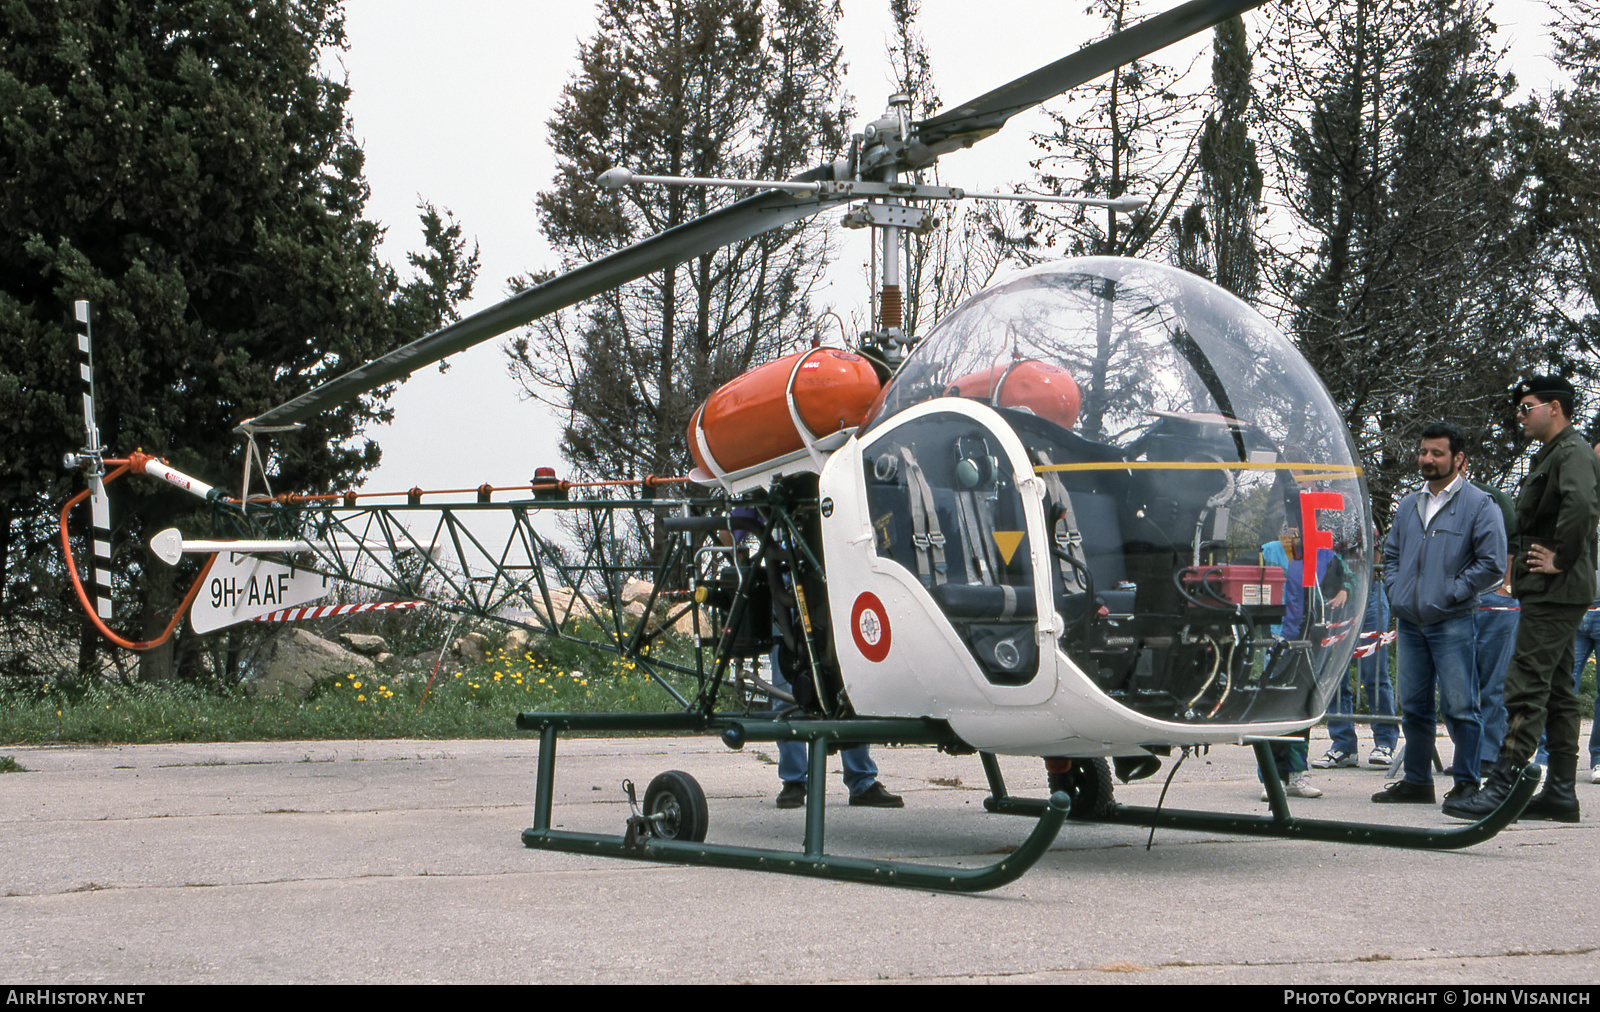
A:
1439	657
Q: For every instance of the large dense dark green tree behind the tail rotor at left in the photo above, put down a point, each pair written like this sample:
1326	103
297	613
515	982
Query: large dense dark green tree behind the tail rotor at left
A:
190	171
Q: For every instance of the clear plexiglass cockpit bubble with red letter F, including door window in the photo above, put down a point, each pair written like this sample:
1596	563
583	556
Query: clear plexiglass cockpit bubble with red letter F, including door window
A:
1191	462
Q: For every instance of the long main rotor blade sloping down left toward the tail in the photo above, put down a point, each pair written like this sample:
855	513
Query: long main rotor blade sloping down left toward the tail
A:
734	223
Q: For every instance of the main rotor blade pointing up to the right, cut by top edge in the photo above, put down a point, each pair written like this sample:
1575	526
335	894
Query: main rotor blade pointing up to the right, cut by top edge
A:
975	121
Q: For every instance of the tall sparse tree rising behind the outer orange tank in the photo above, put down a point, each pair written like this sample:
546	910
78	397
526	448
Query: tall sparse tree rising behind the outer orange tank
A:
679	89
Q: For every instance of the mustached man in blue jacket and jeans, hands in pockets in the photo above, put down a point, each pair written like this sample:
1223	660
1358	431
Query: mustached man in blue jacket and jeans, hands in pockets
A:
1446	545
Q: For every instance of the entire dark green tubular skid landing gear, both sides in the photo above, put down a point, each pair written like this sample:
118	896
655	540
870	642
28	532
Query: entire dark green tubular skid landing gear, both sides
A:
647	835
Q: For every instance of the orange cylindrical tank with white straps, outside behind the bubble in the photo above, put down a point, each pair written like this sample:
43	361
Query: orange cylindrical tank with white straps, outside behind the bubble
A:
780	409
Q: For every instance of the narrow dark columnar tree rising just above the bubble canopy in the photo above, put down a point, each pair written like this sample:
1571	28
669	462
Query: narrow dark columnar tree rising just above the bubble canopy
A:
1217	235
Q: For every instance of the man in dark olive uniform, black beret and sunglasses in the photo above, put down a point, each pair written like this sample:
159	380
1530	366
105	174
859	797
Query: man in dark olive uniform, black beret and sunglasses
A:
1554	580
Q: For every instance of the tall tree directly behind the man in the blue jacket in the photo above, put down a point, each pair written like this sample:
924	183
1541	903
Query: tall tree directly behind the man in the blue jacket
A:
1414	299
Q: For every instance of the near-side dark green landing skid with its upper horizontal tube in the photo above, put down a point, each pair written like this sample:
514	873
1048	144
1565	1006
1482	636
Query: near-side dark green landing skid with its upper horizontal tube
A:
812	861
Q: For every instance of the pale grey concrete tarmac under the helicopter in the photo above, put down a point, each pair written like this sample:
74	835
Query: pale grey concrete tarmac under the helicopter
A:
401	862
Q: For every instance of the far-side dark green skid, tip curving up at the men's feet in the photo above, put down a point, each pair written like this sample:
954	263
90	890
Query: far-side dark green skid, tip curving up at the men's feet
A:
1281	822
